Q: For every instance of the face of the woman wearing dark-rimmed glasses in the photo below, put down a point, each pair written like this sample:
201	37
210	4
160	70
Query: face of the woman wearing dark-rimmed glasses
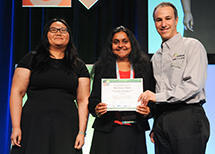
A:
57	35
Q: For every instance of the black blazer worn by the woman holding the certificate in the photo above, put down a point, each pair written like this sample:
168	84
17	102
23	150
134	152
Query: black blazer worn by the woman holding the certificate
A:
106	121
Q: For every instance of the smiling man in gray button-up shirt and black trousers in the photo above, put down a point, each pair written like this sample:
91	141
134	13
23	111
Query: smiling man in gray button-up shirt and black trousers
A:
180	72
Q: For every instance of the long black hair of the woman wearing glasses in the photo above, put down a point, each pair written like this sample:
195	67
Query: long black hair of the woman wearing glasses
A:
41	59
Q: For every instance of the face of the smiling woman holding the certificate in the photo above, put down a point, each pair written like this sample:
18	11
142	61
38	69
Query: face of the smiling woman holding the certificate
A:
121	45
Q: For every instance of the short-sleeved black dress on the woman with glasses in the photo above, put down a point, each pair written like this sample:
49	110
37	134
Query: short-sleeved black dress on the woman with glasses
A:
49	121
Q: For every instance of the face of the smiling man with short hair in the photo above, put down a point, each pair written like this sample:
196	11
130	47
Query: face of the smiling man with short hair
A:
165	22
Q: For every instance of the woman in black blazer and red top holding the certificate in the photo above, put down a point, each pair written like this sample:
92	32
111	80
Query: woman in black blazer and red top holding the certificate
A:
119	132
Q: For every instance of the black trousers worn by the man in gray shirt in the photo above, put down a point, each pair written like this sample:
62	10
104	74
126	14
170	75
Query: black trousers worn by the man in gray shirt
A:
181	129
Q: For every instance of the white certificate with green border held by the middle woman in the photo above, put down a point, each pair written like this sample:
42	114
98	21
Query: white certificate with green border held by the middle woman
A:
121	94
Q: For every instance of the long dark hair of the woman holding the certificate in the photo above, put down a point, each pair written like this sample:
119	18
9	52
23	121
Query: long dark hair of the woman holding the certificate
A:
107	61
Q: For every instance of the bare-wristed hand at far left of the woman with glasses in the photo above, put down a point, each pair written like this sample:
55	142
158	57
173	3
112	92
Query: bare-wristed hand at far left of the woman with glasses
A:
16	137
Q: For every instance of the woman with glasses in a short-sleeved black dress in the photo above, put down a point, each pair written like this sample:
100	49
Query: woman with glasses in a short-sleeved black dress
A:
53	77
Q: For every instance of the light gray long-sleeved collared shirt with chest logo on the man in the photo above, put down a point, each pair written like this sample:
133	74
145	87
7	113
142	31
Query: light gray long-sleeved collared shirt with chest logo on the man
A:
180	70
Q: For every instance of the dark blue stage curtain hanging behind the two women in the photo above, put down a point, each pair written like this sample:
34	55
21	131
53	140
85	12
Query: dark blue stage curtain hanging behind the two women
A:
21	30
